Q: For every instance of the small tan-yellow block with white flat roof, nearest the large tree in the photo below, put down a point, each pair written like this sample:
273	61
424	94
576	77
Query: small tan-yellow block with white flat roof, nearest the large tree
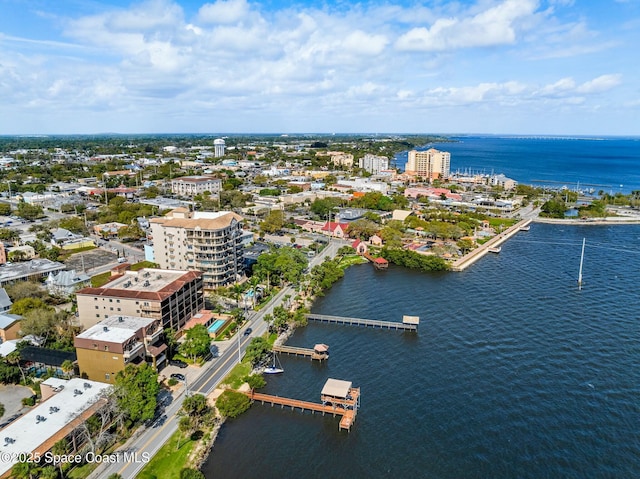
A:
107	347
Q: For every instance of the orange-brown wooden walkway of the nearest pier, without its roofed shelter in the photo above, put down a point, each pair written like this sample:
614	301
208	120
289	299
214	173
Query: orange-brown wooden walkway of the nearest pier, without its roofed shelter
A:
348	409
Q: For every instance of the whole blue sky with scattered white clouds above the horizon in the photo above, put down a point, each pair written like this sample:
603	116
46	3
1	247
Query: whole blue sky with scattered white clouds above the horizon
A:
566	67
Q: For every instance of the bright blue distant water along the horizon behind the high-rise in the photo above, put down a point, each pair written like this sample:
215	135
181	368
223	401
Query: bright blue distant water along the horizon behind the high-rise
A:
610	164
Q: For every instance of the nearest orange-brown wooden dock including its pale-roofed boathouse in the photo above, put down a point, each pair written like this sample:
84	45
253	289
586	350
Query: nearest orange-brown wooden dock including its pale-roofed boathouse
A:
338	397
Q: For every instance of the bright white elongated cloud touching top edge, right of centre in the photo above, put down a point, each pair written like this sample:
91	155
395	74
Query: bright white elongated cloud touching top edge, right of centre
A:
494	26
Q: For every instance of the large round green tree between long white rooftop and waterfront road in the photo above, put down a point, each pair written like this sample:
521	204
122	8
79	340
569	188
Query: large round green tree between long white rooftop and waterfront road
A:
136	389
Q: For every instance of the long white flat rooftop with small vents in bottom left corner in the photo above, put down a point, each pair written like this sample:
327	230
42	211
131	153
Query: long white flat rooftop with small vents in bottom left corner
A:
48	419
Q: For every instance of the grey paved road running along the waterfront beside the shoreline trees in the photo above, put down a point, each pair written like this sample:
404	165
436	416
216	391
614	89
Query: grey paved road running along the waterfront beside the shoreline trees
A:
149	440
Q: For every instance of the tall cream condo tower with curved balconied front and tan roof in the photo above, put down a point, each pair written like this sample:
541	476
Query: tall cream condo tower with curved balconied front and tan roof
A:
210	242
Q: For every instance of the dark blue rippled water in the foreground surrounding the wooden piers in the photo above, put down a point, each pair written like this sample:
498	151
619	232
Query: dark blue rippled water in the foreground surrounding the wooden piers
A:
515	373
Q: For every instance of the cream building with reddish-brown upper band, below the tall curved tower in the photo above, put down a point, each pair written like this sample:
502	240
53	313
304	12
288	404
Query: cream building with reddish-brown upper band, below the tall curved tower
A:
172	297
